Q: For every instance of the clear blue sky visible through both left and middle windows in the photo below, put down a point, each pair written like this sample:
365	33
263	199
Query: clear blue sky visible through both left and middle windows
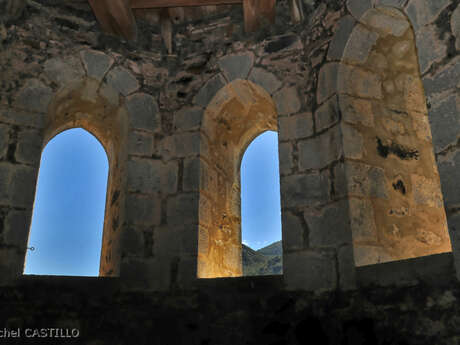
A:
68	214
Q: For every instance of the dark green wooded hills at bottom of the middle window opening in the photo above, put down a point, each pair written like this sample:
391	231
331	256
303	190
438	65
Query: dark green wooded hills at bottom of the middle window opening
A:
265	261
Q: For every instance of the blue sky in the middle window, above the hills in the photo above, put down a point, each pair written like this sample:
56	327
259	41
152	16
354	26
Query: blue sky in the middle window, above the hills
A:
260	192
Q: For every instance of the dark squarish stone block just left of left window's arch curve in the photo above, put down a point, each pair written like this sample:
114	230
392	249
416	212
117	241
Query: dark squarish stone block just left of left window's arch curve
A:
29	147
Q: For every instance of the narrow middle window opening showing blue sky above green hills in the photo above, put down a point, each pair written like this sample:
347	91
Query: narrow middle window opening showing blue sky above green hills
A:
261	207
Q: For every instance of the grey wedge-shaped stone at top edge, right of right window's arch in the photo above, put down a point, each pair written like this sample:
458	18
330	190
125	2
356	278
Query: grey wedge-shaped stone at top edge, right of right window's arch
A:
422	12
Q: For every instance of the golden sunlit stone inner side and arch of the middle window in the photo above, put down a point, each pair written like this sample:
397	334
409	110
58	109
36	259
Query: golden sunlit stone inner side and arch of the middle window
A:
236	115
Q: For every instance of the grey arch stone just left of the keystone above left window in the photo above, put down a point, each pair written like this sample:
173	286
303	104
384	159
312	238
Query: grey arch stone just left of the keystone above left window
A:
64	71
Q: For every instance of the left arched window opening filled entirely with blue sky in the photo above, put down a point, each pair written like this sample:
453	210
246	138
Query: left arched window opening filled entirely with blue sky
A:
68	214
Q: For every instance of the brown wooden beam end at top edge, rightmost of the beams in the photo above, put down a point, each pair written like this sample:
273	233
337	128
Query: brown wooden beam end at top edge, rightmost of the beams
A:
257	13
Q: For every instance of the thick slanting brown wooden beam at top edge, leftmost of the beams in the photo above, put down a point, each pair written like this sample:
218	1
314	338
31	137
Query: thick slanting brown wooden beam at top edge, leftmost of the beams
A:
115	17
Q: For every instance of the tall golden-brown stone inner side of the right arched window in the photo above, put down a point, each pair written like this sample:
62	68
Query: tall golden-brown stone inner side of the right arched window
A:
396	204
